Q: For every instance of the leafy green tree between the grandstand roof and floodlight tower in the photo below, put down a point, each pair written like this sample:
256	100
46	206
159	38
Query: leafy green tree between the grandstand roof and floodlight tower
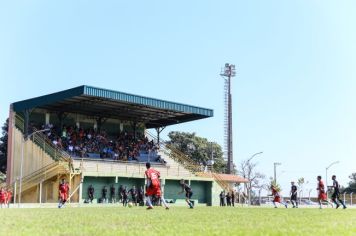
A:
199	149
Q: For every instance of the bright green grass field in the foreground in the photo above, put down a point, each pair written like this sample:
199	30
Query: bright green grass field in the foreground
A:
177	221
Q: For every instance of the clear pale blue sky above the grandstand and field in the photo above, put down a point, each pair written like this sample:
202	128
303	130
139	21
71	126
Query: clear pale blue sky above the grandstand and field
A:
293	97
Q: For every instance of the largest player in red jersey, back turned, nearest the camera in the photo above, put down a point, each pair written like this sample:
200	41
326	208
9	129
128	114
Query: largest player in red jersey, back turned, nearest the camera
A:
153	186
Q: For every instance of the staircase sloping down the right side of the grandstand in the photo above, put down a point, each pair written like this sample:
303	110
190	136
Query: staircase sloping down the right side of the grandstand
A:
179	157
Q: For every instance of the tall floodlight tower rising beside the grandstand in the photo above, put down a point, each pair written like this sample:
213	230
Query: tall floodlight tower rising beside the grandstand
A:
228	72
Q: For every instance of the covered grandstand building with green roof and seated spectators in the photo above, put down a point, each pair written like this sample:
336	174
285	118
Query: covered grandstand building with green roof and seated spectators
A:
100	137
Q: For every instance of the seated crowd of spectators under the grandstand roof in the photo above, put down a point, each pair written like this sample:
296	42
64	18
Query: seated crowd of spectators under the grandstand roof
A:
91	143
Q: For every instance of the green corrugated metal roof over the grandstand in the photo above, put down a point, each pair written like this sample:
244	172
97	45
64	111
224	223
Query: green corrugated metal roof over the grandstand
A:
108	103
